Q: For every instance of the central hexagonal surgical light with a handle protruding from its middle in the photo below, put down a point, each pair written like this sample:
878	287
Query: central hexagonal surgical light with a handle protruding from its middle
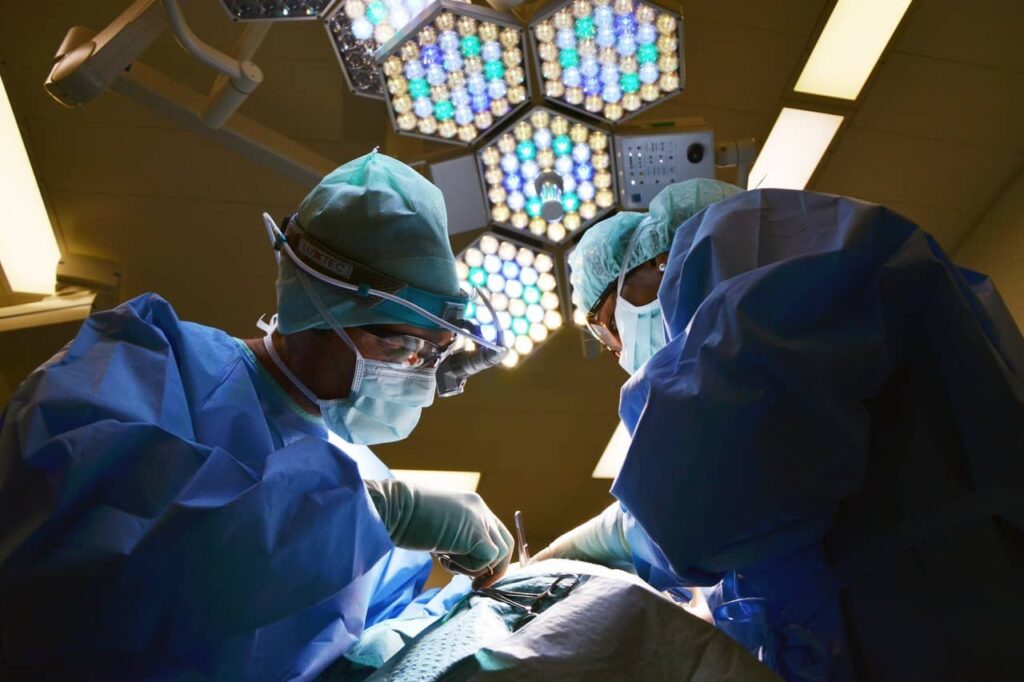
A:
549	175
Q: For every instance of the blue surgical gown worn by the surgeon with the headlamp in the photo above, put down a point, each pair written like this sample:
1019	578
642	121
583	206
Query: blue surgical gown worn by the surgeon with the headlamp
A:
168	513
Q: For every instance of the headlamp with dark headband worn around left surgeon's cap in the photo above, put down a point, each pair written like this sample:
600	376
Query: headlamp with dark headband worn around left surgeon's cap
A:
396	299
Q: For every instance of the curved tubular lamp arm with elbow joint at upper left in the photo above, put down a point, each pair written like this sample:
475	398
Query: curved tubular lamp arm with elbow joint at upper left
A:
241	77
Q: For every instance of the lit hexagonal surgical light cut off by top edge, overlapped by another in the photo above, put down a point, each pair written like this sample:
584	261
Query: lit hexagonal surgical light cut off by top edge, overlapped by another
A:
359	28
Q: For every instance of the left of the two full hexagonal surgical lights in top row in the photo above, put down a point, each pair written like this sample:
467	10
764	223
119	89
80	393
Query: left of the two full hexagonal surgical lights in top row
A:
455	73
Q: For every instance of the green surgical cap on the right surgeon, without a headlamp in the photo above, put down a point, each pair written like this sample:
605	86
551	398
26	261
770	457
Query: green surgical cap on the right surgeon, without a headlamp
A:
599	259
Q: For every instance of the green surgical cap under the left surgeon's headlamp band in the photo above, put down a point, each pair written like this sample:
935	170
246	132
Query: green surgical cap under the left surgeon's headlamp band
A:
382	215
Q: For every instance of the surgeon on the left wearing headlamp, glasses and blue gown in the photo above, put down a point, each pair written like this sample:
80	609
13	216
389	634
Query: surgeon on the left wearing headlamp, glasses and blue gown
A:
170	507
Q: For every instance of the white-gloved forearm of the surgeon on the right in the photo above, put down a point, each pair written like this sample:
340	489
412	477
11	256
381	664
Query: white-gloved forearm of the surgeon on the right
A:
602	540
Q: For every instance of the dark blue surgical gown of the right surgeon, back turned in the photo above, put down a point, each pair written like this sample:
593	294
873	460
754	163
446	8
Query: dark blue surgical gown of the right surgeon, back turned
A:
836	425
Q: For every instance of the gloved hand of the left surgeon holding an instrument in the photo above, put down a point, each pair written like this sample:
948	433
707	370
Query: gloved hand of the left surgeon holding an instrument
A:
457	526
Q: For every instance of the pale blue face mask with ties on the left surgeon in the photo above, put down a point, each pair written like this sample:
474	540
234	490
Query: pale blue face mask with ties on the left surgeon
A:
383	405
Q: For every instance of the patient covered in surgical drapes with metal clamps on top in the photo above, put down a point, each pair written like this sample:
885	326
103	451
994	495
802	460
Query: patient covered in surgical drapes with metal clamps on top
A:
552	620
